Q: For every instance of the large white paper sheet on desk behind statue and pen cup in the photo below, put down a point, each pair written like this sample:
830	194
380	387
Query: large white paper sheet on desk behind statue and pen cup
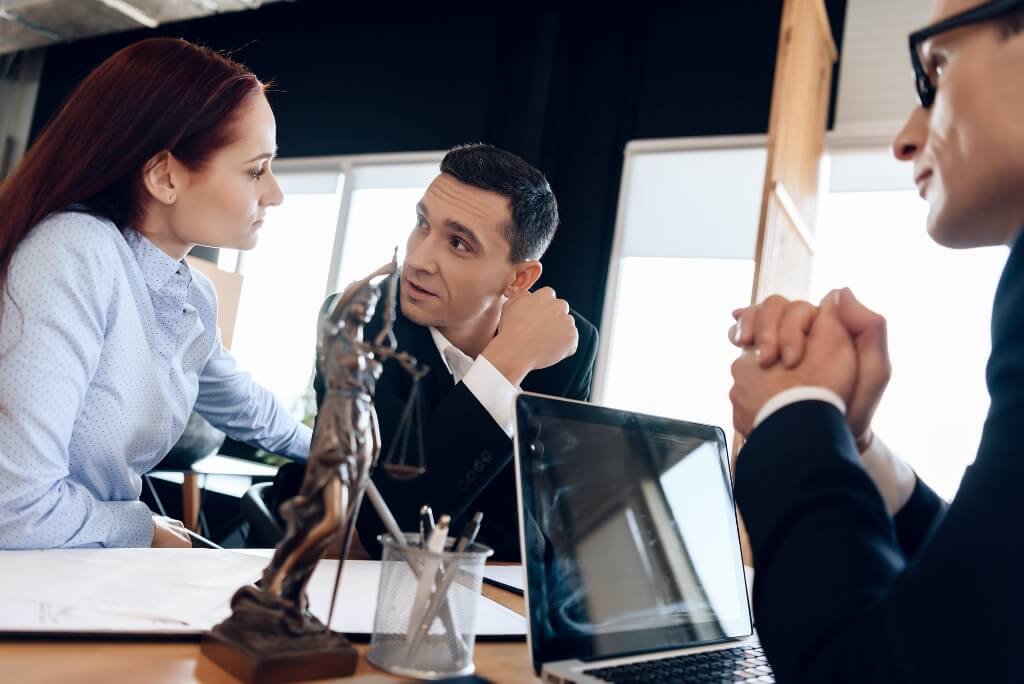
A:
178	592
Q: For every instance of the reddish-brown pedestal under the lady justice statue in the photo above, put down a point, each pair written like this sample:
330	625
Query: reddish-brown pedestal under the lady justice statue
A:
337	659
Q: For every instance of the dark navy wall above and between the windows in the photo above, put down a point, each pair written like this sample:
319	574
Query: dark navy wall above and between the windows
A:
566	85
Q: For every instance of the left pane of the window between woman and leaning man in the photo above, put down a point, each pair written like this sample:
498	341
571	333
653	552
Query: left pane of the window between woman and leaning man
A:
284	282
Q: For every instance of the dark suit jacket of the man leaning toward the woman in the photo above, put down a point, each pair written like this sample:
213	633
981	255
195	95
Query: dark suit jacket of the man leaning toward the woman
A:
468	457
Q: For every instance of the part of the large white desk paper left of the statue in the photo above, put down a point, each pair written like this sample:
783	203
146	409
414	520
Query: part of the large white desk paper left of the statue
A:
120	590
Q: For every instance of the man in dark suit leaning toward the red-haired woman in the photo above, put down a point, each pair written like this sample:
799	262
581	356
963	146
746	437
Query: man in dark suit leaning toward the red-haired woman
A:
468	313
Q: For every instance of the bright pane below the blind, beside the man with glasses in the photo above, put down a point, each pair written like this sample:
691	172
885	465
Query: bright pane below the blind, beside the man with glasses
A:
938	306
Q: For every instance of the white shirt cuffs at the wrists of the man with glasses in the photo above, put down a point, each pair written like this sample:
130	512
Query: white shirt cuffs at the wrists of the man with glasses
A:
893	477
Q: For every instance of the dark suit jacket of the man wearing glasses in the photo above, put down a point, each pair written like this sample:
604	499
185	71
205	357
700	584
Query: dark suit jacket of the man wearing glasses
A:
842	592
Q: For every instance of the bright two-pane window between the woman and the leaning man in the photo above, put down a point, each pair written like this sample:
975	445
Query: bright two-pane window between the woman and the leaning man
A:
342	219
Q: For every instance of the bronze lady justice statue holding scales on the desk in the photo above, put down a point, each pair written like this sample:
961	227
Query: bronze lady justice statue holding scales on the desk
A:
271	628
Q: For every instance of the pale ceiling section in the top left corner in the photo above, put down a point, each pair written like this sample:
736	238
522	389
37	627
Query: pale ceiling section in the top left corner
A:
27	24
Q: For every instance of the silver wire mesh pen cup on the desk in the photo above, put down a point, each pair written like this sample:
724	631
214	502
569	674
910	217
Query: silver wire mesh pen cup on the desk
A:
425	625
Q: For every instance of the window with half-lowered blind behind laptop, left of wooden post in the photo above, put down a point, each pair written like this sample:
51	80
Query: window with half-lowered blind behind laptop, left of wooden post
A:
684	260
